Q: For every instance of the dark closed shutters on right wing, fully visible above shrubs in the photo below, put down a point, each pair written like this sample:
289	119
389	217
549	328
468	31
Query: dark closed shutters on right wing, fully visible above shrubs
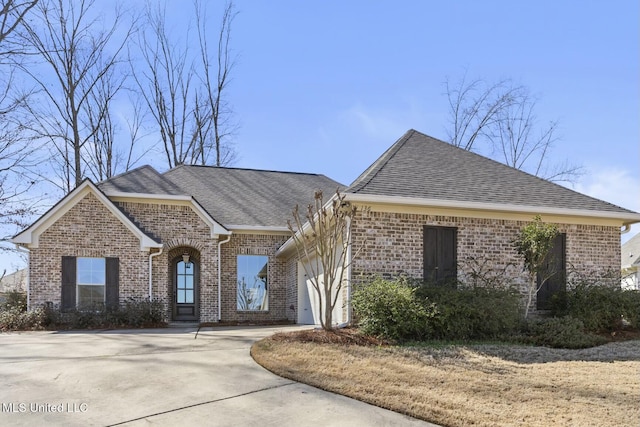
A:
439	254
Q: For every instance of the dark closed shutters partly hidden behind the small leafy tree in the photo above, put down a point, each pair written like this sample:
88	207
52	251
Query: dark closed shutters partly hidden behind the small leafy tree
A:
553	279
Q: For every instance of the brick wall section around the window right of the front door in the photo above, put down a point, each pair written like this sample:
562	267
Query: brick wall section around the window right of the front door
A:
254	244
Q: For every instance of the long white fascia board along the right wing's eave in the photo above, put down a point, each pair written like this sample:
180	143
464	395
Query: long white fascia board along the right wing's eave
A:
624	217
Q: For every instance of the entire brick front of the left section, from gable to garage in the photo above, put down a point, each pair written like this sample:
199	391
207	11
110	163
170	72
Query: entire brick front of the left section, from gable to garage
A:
89	229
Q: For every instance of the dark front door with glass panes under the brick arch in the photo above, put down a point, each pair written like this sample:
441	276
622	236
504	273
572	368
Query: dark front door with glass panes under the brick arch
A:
185	291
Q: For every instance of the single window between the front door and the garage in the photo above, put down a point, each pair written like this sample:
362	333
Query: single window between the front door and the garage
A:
252	288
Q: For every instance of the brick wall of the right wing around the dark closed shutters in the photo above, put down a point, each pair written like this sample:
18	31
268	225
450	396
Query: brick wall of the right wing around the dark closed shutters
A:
393	246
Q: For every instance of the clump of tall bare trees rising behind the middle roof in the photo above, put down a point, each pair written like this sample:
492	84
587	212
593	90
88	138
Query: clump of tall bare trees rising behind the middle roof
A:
182	94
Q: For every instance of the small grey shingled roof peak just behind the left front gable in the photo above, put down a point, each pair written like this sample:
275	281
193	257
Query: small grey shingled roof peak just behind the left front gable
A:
144	179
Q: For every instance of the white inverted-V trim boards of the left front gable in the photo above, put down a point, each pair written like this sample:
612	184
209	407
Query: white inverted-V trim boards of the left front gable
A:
30	236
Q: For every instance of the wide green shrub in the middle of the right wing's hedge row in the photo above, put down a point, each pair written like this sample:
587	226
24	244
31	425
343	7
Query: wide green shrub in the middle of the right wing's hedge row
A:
473	313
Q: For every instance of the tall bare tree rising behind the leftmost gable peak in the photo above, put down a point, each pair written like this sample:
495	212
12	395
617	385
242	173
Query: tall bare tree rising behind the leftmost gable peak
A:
82	52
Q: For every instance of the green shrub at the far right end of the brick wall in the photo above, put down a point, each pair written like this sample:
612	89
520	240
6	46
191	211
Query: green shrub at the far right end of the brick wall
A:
600	308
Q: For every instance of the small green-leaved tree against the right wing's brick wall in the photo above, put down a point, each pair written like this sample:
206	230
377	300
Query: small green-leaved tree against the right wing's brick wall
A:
534	244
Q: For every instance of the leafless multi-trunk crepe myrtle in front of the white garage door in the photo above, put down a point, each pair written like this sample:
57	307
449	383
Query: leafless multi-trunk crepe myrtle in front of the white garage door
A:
322	237
